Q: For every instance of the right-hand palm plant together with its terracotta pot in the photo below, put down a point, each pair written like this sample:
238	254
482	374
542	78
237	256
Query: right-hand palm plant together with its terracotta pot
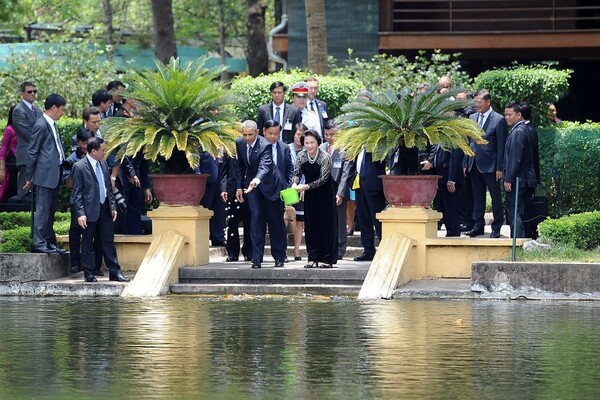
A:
386	122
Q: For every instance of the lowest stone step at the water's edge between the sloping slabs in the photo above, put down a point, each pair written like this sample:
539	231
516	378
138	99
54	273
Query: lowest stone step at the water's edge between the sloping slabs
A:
266	289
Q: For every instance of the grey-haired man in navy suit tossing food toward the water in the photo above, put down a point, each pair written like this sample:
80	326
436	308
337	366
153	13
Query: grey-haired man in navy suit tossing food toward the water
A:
254	172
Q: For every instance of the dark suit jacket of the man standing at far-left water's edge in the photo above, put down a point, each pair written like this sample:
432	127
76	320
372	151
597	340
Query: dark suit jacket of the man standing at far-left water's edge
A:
86	192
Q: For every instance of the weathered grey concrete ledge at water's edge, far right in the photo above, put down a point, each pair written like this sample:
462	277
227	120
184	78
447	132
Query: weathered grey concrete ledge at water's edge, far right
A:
513	280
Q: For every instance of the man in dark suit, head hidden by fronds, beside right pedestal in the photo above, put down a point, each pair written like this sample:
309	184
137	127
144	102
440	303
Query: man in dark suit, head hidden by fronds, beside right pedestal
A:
369	201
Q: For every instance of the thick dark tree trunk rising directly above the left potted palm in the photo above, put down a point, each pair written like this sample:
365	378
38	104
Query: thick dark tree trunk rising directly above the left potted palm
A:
165	46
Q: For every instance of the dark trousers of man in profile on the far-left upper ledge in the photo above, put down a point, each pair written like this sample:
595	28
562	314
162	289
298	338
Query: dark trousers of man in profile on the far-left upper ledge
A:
46	201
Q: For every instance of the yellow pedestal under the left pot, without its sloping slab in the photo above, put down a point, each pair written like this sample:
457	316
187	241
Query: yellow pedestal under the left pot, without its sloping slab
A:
190	221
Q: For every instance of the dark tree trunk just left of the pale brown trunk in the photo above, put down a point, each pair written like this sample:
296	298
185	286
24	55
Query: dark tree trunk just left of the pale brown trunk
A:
256	51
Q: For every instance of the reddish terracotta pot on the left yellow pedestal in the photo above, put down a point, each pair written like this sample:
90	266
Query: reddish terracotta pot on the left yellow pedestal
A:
180	190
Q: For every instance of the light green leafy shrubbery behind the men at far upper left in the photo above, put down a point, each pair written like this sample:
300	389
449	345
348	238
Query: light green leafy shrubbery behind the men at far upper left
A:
74	71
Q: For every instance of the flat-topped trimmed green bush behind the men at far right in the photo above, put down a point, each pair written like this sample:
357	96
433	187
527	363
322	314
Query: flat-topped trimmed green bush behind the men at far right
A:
538	85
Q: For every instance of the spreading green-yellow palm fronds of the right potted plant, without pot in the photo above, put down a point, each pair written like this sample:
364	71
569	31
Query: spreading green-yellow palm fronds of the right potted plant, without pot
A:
386	122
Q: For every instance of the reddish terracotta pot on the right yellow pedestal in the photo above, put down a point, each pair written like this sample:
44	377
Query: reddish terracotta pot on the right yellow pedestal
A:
409	190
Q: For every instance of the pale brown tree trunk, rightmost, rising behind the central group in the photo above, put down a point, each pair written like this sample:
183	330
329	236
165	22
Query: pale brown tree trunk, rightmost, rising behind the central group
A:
316	36
